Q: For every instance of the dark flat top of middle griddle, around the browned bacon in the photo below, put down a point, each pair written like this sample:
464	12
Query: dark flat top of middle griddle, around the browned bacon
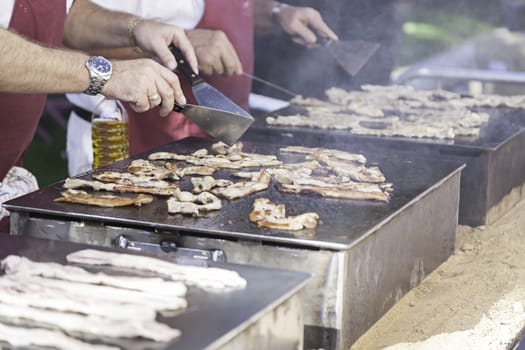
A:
344	222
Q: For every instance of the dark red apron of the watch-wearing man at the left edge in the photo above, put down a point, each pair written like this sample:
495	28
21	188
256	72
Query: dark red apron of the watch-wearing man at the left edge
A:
43	21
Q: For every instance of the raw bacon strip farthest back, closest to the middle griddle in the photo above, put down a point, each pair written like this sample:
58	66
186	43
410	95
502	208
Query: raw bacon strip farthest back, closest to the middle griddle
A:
207	278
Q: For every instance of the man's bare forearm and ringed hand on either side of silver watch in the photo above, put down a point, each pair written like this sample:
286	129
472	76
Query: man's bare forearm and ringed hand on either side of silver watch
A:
26	67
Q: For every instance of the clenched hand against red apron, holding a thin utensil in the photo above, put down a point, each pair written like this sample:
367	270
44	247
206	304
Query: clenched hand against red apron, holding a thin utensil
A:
215	53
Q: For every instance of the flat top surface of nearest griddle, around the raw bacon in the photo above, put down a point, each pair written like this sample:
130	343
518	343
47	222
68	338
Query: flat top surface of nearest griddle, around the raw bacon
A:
210	318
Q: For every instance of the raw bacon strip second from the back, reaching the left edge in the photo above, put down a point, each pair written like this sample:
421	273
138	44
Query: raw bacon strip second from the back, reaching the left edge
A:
14	264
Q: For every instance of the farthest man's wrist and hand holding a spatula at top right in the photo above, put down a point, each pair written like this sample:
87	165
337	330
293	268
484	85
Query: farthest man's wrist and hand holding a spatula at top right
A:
303	24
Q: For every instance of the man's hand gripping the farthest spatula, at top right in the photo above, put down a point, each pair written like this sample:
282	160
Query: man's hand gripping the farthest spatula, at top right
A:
302	24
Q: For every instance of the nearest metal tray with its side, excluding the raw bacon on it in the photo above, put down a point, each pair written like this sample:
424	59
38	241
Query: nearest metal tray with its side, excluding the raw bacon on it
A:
227	320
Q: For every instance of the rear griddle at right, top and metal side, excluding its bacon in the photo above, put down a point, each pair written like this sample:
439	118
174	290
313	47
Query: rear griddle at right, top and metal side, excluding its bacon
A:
495	161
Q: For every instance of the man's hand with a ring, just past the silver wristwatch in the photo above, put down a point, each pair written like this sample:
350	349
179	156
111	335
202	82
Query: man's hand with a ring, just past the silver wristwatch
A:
145	84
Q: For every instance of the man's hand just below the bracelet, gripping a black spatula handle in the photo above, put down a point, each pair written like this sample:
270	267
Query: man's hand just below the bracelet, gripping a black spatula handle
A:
156	37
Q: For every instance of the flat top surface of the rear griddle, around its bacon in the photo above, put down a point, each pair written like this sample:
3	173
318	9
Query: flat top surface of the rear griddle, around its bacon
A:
503	124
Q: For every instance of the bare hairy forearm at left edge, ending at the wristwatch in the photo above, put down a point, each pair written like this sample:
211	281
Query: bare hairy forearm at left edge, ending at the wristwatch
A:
27	67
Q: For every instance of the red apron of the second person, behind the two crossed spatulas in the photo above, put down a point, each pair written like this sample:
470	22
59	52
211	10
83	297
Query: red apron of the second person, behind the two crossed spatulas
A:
235	18
